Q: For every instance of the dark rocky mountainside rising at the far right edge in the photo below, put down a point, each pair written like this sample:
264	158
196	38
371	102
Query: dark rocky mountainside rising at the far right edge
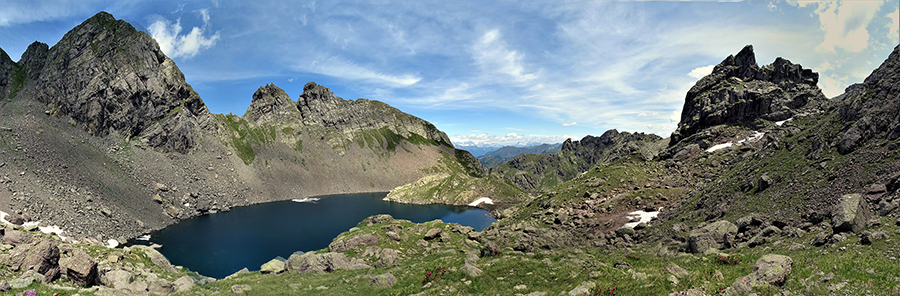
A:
872	109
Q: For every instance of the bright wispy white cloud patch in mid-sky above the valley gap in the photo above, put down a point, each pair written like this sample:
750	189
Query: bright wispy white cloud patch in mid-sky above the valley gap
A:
491	53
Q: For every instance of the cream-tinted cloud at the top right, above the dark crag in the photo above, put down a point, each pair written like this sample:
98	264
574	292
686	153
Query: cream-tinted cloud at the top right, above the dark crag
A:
843	22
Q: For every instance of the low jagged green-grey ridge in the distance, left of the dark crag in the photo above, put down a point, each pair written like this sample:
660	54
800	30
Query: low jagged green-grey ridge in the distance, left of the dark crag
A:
541	171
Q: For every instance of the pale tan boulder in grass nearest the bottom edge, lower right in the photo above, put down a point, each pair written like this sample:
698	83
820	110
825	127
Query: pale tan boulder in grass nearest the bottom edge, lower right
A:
771	269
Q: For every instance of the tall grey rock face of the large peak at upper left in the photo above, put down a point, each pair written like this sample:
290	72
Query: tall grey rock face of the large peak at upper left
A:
110	78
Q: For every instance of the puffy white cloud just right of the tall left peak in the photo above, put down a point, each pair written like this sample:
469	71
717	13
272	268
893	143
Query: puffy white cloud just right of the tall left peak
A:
173	44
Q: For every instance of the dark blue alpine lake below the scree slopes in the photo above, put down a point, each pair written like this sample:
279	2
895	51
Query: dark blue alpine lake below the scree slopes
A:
219	244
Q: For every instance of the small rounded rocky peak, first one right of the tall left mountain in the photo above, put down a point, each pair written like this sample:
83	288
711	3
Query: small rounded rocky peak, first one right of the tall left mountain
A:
271	103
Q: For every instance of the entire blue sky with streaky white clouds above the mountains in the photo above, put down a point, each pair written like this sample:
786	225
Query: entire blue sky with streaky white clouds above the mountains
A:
486	71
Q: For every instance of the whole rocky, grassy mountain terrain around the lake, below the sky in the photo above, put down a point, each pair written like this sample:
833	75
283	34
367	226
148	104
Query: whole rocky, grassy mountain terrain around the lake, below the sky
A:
766	187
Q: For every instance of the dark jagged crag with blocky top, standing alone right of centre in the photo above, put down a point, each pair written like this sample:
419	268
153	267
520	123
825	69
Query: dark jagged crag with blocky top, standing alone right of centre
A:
739	91
